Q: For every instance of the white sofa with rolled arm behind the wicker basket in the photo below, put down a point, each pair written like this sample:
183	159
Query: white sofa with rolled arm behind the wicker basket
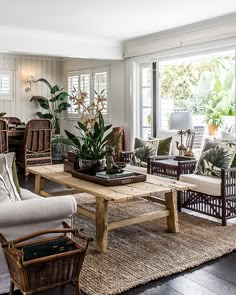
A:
31	214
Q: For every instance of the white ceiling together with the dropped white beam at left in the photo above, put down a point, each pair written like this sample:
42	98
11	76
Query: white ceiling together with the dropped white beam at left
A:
95	28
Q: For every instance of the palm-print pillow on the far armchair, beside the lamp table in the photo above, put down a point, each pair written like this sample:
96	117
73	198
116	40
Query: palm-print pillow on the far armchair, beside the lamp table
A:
142	150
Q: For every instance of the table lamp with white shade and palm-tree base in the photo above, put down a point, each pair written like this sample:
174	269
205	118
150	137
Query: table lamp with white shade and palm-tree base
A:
182	121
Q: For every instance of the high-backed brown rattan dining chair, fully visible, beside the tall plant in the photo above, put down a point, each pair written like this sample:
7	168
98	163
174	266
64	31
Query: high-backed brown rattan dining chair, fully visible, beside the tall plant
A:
37	143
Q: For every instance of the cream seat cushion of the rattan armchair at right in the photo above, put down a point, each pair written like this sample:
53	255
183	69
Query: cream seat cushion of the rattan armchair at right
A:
205	184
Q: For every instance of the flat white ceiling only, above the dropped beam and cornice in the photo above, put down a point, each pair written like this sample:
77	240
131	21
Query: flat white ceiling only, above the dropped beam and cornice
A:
116	19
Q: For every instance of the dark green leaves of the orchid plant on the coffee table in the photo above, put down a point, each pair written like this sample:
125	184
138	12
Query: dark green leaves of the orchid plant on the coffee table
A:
91	143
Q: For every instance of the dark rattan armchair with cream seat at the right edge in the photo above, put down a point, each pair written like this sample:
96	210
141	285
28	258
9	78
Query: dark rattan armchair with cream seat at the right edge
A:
215	197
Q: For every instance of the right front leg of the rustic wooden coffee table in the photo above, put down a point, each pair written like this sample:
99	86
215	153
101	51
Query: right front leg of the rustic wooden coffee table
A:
172	219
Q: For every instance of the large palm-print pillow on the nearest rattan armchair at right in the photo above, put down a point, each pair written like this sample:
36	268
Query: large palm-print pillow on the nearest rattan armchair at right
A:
216	155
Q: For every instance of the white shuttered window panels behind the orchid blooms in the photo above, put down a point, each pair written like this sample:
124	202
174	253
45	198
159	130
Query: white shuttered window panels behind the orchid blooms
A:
89	81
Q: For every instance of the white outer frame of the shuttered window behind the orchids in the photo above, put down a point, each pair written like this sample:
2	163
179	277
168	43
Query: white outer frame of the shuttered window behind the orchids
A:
92	71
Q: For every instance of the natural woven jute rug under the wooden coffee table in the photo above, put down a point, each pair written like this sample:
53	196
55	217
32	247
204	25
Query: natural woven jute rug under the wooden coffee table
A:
141	253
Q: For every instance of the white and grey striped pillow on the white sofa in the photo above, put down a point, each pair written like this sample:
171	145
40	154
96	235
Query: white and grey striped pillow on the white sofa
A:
8	190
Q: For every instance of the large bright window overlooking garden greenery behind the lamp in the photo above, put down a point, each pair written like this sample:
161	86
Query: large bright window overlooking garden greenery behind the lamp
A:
200	84
